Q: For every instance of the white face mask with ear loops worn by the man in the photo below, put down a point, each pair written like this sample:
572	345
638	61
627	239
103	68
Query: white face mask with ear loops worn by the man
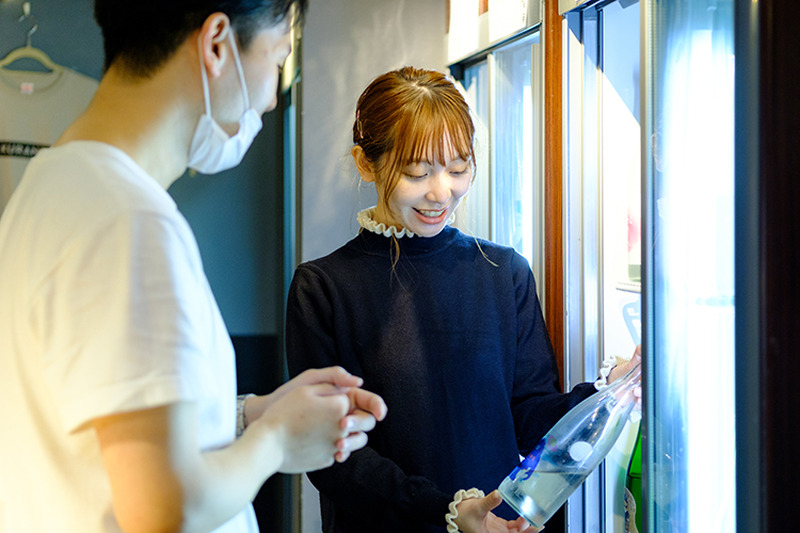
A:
212	149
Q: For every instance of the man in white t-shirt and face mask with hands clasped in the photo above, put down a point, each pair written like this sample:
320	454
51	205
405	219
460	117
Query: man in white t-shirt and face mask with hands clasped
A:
118	402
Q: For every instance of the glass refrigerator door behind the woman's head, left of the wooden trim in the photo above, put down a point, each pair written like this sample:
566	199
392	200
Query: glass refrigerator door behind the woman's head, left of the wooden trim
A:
505	93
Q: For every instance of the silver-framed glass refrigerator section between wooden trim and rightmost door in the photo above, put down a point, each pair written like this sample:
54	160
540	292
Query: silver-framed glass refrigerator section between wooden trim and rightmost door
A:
602	199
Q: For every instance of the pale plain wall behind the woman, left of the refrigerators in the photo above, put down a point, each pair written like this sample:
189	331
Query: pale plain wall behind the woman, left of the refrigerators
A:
347	43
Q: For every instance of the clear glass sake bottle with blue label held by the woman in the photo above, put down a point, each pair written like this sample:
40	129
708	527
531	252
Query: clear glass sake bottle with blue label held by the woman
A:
570	451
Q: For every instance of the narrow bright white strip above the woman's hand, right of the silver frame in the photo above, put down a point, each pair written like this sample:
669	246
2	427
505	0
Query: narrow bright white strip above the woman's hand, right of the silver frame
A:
620	161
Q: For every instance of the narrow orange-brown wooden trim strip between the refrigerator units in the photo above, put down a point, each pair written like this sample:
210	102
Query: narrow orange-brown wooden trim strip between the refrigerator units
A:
554	264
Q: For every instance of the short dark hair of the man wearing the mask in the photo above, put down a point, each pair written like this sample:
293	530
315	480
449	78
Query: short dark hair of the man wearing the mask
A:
143	34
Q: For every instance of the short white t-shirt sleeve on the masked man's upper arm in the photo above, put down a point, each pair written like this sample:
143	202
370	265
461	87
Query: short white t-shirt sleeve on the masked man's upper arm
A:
124	320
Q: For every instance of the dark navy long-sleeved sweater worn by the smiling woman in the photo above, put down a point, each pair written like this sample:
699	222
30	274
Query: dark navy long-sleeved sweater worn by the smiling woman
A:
452	337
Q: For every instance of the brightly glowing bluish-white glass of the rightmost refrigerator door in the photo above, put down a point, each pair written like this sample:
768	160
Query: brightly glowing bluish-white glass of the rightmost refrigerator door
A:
693	469
